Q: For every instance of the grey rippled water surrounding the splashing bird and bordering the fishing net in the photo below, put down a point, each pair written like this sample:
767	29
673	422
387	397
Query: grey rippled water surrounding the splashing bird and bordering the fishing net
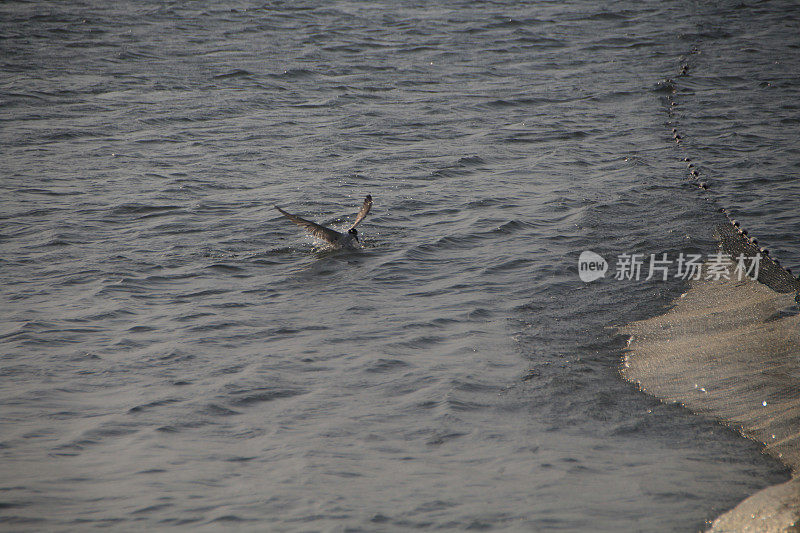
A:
174	353
